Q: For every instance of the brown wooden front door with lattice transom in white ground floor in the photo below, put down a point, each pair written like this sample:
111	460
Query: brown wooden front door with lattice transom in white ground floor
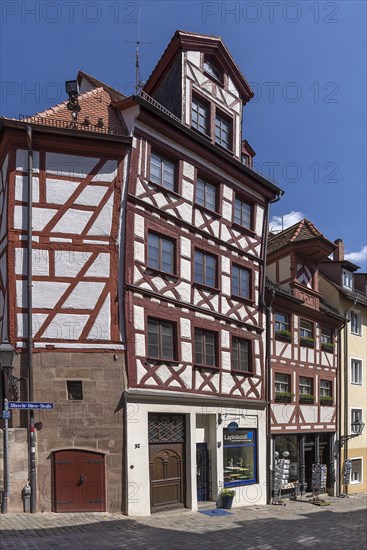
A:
166	461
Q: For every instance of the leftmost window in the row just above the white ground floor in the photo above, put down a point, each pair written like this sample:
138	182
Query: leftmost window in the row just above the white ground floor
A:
161	340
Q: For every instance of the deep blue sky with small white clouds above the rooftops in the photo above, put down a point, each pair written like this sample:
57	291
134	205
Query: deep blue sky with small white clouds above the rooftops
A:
306	62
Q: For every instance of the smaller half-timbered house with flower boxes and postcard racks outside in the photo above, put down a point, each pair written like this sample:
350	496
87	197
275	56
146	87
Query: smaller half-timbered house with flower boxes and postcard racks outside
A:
304	353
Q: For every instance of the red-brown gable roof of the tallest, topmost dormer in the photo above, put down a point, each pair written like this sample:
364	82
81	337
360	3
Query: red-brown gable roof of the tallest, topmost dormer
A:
185	40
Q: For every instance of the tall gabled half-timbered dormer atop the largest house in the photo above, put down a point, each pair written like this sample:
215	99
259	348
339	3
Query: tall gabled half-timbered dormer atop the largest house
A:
197	80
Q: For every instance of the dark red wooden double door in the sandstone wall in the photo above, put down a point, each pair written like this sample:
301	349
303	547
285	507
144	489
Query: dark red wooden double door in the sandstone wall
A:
79	481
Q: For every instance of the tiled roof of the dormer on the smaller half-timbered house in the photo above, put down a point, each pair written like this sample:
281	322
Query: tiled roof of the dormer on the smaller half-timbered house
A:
301	232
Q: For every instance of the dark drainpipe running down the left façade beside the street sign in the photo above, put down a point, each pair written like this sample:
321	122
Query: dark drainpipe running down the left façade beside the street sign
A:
31	434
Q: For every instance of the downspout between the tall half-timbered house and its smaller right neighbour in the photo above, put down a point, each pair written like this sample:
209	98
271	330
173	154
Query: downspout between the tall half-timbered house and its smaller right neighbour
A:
267	348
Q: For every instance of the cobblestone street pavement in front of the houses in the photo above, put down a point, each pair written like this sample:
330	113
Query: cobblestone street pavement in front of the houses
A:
339	526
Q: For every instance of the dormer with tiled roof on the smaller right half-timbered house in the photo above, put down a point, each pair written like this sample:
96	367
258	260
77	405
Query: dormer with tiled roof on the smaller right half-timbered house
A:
293	259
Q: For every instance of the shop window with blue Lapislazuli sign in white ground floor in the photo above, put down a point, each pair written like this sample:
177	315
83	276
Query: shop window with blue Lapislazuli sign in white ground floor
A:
239	457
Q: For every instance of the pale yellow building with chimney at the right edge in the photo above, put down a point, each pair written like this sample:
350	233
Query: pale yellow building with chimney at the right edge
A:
346	289
